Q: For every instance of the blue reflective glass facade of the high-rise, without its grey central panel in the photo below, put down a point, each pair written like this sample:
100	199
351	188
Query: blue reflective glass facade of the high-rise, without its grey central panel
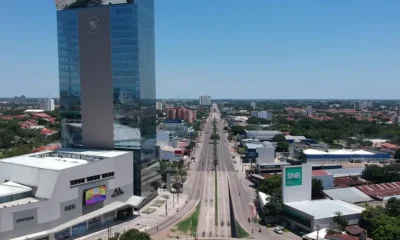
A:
131	30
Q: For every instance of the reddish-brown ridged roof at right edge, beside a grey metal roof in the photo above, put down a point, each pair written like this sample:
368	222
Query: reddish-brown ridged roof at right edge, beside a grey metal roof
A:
381	190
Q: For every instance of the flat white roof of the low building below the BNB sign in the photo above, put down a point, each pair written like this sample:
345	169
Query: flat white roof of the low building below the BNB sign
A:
325	208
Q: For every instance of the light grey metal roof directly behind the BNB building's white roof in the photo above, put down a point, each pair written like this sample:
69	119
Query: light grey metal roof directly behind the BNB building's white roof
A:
351	195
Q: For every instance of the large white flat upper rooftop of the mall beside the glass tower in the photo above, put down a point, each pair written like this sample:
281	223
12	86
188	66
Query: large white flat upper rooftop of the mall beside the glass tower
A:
62	158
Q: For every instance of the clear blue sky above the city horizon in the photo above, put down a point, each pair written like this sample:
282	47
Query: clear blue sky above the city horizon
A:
232	49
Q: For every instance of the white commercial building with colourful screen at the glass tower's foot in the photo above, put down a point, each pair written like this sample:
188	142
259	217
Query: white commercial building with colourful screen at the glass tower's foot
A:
65	193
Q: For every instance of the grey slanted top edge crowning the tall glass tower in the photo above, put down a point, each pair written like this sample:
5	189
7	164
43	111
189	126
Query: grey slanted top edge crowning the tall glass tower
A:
68	4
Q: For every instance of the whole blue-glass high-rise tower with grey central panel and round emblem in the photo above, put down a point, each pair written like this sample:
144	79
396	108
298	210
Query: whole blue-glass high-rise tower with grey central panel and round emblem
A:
107	80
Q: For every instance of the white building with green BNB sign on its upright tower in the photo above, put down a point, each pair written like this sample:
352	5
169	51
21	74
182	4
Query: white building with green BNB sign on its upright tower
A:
300	212
